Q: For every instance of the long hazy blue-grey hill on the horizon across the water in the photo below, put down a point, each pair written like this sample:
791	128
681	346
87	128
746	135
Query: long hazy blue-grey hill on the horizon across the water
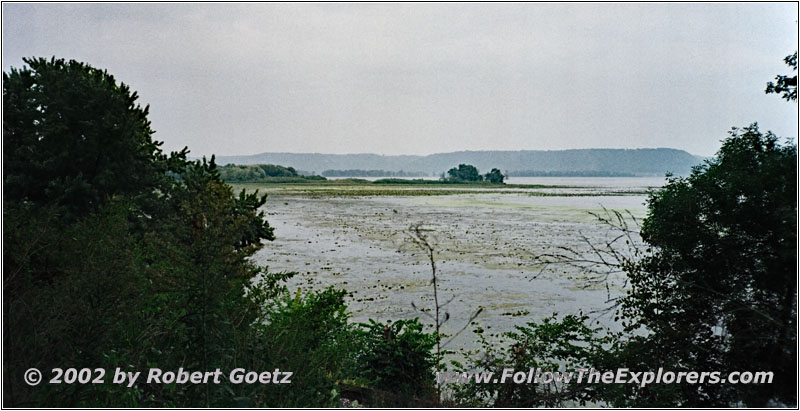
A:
642	161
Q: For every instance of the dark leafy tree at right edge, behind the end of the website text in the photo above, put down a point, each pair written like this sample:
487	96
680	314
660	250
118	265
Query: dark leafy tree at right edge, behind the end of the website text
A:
720	289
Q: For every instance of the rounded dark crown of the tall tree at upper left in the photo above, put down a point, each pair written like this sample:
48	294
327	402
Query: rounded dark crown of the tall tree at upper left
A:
74	137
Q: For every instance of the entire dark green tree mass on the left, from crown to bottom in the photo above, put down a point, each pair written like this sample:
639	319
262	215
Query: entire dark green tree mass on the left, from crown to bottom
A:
116	254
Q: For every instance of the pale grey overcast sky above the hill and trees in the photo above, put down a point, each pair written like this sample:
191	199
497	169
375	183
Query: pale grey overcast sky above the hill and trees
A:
422	78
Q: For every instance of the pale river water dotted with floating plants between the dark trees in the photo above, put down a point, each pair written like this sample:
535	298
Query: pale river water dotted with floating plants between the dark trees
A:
486	249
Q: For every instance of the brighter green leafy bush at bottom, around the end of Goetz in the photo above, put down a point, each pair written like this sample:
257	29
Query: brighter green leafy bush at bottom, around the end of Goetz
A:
308	334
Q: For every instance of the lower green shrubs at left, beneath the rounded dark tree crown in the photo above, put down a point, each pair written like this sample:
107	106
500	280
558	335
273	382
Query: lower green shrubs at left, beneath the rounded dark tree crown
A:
110	290
